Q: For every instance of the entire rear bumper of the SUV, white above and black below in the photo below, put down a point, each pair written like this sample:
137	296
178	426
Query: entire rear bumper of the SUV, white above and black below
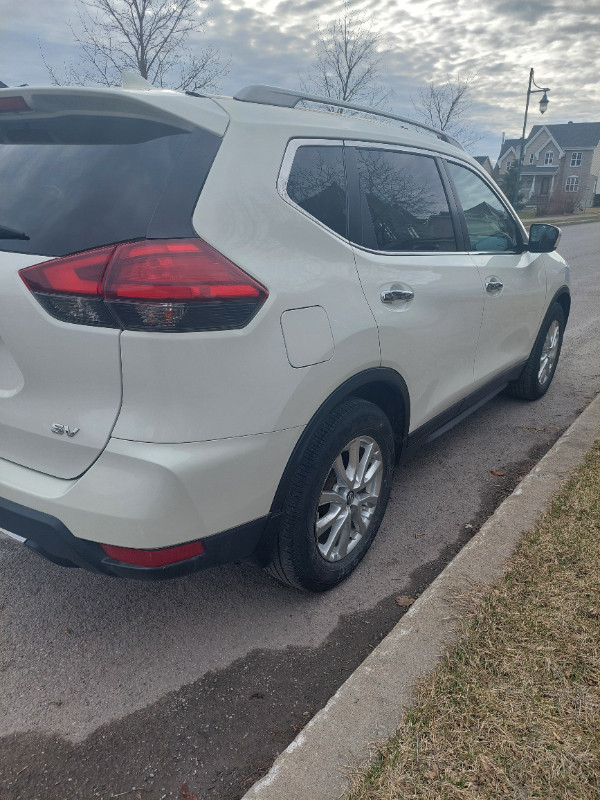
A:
148	497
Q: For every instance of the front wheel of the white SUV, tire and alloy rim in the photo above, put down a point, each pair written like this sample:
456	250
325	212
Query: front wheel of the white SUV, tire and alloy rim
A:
541	365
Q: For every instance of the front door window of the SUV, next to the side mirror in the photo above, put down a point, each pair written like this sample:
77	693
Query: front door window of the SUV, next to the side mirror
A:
489	224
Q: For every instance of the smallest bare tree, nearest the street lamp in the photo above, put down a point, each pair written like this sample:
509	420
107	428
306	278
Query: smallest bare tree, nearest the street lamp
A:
446	106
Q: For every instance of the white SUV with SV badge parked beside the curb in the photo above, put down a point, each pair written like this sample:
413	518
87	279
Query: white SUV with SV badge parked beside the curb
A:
223	320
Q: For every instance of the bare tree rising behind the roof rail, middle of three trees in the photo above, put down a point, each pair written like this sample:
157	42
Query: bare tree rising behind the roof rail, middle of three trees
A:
348	62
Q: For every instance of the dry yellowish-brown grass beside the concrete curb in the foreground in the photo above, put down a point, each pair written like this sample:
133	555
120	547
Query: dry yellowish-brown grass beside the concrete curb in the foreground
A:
513	710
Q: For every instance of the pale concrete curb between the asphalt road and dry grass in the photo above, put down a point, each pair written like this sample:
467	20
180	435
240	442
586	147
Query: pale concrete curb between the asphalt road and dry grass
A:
369	705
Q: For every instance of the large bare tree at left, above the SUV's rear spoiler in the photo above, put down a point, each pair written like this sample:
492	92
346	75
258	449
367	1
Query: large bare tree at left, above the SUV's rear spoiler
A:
148	37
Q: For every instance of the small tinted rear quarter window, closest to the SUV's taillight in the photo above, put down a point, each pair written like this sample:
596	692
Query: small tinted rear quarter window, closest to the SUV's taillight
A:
317	183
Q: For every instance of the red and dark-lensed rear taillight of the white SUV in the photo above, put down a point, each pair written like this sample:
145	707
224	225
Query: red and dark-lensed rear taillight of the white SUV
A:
174	285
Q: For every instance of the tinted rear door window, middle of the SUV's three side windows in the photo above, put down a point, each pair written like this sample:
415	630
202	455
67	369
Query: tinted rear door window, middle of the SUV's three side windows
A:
405	198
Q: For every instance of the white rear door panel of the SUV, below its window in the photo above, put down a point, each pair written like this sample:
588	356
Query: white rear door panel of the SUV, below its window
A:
431	339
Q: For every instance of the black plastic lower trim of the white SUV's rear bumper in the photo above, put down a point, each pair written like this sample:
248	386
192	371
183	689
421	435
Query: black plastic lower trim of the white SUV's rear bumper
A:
50	538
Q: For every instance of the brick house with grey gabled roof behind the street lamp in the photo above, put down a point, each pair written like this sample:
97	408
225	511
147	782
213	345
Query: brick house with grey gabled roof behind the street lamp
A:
561	164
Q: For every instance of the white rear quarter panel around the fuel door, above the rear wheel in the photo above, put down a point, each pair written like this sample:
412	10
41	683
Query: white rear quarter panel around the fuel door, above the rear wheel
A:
194	387
